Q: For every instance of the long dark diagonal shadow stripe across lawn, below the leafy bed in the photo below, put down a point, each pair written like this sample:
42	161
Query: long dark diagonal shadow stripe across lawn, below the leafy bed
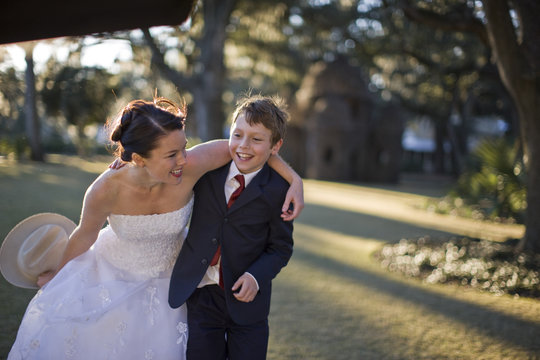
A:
494	324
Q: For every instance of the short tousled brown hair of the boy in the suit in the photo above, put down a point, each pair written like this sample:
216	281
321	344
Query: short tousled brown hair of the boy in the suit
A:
270	111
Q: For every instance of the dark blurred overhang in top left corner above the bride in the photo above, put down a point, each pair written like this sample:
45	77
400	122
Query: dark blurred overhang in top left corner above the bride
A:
26	20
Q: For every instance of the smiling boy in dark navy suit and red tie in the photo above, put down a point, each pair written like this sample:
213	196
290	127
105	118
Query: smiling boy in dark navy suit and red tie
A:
235	248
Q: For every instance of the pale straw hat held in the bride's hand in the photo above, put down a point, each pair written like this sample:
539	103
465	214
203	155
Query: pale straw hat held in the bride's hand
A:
34	246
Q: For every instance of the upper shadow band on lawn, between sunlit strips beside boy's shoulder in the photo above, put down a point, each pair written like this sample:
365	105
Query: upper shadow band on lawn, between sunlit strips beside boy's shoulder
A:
362	225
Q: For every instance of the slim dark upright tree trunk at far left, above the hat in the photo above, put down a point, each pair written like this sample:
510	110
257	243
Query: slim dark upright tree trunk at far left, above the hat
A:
32	125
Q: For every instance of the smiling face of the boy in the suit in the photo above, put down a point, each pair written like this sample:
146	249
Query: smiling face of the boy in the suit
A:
250	145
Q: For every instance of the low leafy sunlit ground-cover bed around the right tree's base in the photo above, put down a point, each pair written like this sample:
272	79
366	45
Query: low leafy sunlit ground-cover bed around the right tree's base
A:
486	265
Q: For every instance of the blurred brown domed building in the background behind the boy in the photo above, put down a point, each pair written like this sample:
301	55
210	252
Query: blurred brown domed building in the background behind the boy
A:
338	130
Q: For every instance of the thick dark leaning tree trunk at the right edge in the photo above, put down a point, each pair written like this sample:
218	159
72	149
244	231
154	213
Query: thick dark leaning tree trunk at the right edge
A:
517	62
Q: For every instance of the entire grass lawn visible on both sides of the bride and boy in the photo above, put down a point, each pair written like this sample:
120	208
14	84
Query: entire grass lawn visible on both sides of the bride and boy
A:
333	301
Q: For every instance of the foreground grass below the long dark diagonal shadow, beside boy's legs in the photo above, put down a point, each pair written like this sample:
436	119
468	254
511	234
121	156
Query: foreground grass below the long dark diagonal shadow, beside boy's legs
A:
337	319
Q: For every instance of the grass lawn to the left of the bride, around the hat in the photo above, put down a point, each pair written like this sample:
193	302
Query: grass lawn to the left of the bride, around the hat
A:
28	188
